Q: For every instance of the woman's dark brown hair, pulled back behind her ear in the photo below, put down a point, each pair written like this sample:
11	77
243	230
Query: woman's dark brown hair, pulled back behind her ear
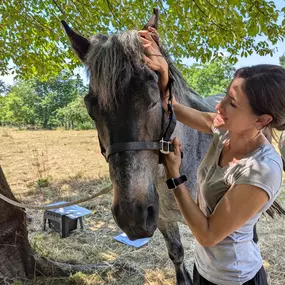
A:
264	86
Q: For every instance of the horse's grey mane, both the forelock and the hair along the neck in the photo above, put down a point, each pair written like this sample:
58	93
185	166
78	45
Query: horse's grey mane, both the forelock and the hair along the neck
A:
112	61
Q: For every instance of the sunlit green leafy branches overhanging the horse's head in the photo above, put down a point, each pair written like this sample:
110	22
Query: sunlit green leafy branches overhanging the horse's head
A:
32	38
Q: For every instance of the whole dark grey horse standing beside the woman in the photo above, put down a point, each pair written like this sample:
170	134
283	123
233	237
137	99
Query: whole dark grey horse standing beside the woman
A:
125	102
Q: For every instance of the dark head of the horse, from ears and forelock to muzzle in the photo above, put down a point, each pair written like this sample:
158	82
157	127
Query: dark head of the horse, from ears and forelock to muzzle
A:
125	102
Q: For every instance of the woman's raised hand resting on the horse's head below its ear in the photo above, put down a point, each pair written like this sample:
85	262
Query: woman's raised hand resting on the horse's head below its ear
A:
154	59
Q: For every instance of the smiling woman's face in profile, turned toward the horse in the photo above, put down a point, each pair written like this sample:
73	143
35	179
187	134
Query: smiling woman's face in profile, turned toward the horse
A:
234	112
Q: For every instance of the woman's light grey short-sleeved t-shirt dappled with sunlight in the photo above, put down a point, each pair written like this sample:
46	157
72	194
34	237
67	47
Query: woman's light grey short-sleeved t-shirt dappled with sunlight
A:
236	259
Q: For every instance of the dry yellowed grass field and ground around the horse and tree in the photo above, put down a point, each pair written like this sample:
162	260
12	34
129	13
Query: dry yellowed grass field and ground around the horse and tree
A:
48	166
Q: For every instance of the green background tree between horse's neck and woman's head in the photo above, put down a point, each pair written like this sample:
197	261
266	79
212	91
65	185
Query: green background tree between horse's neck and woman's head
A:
211	78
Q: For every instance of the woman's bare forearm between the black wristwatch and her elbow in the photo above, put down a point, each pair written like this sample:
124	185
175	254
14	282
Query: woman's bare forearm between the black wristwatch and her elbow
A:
194	217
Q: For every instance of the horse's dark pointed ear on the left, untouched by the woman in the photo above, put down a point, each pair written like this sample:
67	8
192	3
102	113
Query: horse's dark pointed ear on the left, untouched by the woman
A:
80	45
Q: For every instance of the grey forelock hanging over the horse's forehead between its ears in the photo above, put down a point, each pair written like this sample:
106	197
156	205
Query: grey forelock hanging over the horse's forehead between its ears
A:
111	62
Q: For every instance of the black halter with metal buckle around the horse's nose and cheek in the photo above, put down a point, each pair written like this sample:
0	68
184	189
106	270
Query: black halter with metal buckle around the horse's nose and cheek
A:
164	145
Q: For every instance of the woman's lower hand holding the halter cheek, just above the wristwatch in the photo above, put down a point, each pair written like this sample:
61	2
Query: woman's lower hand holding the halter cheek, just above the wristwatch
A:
172	161
